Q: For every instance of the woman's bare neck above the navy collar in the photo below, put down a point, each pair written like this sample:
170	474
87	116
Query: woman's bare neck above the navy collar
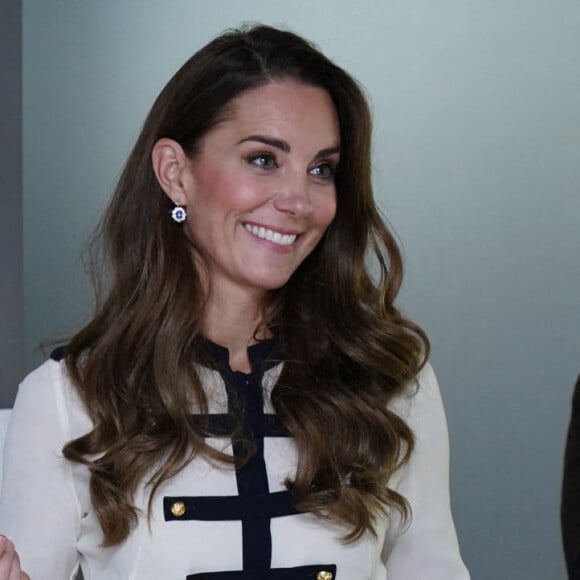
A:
233	320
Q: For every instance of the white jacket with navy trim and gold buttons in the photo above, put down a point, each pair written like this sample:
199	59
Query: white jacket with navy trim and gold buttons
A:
46	510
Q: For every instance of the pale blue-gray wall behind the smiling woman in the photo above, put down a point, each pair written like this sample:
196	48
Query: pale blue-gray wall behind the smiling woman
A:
477	153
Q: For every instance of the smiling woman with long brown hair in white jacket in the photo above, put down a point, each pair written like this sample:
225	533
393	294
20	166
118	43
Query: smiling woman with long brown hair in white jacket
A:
247	402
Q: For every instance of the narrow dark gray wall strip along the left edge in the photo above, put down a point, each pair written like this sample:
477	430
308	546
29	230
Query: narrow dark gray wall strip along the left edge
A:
11	332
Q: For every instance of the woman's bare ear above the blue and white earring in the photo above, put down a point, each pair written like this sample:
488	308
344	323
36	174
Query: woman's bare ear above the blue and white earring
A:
169	162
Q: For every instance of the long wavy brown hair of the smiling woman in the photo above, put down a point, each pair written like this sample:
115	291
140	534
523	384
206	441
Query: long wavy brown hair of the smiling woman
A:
348	351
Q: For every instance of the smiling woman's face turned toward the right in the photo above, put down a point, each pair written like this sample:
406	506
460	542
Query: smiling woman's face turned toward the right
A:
260	192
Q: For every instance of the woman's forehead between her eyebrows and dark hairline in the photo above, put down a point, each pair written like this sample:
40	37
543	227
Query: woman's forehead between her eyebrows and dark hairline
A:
285	109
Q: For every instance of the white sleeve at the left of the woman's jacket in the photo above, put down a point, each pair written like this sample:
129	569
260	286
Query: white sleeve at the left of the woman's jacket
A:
39	510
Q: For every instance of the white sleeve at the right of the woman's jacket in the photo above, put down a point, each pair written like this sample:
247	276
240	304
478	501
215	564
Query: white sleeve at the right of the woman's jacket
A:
426	548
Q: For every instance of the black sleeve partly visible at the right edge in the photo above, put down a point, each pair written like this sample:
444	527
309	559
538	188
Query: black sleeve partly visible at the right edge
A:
570	507
